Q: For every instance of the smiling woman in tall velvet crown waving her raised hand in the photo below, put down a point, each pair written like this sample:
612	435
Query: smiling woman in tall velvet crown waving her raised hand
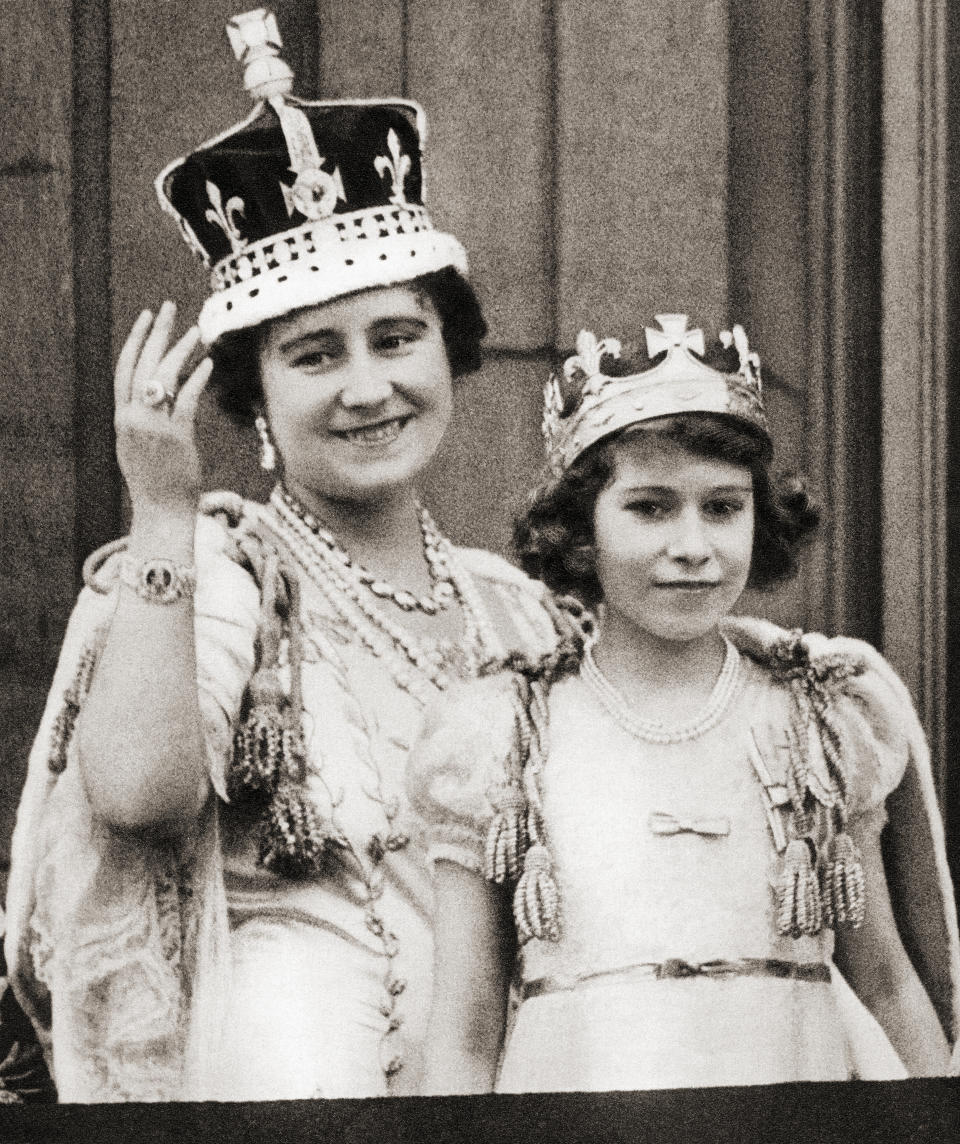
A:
219	889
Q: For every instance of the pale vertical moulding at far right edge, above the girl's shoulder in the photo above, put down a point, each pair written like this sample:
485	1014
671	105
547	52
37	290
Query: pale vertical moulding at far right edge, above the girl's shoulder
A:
917	363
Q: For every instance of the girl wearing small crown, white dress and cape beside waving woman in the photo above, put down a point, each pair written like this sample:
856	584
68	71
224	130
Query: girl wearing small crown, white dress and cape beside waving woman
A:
684	814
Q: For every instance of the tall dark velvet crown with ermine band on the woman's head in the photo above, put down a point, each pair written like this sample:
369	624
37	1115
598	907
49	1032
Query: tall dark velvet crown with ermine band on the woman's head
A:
304	201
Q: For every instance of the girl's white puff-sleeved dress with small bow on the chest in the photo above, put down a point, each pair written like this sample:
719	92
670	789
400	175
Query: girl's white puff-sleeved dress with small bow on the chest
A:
663	852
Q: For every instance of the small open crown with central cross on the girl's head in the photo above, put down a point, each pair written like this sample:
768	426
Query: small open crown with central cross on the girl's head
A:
683	383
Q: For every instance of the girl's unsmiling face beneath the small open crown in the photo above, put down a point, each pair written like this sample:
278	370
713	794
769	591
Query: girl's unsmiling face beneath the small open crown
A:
675	538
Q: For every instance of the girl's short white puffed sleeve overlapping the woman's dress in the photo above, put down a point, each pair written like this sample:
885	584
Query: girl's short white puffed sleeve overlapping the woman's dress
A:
459	758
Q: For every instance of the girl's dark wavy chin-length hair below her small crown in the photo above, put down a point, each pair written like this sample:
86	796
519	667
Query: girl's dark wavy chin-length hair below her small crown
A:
554	539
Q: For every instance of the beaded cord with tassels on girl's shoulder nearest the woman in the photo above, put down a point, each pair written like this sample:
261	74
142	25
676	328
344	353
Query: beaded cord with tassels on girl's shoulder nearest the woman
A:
517	844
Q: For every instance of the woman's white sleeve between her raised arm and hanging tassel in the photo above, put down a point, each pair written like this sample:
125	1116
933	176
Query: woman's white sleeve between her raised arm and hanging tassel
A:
227	610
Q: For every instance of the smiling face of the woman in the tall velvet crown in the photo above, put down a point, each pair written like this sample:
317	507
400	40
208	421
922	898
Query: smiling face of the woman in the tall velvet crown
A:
358	393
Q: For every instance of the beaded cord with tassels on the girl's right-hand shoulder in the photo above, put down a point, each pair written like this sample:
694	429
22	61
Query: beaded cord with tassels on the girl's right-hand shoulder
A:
821	881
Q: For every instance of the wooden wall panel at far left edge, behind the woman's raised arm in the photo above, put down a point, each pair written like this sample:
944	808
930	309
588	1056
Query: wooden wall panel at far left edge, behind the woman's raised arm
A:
38	479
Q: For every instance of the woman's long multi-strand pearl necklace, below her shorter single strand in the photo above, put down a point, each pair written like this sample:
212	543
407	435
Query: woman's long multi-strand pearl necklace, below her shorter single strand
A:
350	598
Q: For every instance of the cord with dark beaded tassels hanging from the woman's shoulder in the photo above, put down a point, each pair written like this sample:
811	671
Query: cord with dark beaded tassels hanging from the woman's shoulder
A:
268	768
